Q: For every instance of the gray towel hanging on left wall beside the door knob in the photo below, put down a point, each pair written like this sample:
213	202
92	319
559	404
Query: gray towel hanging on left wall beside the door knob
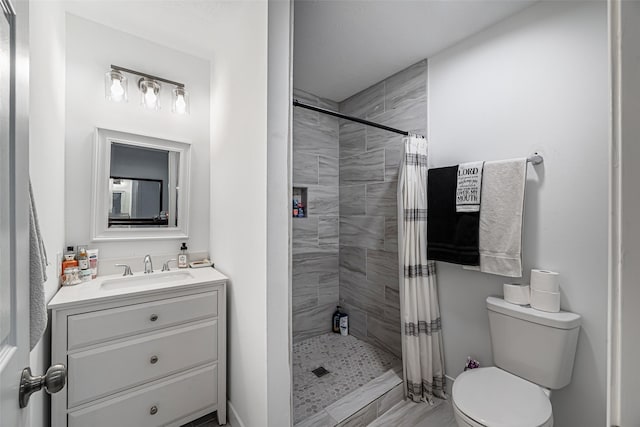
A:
37	275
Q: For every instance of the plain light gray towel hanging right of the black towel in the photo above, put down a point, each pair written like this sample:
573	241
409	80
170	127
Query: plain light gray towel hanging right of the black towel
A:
501	212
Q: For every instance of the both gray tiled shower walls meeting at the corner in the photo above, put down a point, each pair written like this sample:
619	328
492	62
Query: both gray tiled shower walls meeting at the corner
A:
346	249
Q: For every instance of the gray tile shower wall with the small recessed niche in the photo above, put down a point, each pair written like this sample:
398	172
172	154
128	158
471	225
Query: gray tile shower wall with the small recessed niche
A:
315	238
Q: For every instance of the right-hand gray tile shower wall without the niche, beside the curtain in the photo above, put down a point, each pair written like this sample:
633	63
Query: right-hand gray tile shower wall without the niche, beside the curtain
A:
368	173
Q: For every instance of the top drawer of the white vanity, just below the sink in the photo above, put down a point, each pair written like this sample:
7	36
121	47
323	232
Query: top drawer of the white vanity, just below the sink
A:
103	325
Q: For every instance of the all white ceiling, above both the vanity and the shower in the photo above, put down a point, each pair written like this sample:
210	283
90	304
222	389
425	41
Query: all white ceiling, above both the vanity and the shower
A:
340	46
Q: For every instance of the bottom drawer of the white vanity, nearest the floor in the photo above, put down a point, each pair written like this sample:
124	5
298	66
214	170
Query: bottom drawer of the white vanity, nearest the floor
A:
157	405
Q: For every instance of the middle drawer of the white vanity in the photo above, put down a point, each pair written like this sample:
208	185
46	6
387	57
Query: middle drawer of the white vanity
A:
108	369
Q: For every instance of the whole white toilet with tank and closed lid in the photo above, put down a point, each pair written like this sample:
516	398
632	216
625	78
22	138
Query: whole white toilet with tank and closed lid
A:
533	352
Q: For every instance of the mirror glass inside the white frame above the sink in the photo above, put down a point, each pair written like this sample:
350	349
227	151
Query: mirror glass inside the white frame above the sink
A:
142	187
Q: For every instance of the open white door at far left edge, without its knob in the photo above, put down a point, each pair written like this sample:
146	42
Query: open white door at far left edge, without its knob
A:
14	219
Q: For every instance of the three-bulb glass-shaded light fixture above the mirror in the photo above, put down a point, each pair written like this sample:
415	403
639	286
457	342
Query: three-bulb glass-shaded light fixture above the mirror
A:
150	88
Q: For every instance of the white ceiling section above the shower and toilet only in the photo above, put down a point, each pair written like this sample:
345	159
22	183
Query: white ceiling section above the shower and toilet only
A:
344	46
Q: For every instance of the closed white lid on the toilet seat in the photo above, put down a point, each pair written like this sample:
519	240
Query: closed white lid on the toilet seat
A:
496	398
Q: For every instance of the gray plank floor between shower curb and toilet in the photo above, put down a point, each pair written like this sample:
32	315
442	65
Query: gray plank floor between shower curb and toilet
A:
411	414
